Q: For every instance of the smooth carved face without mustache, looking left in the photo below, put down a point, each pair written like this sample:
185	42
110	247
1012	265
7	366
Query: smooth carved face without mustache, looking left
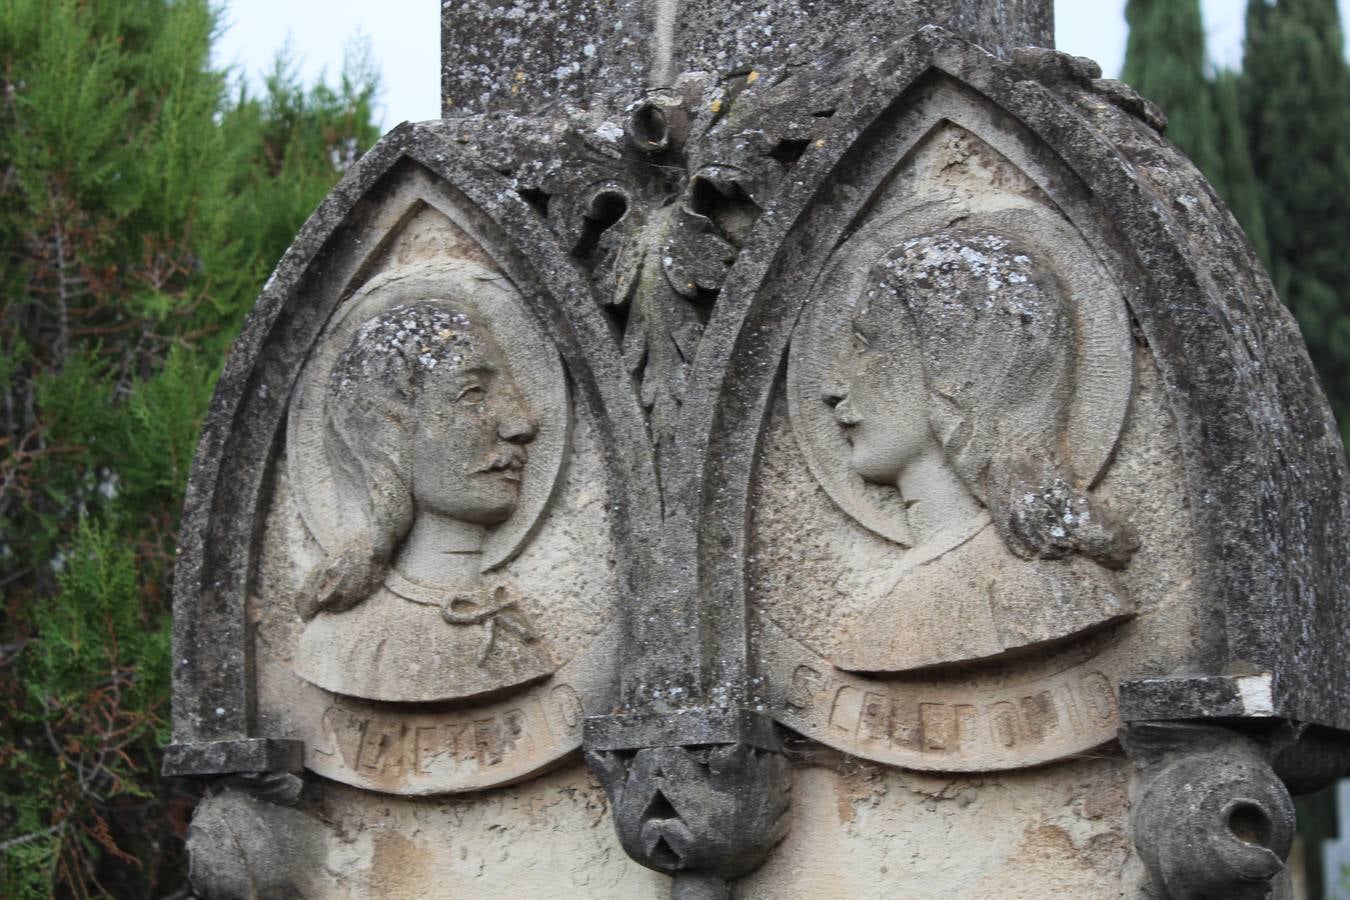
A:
882	404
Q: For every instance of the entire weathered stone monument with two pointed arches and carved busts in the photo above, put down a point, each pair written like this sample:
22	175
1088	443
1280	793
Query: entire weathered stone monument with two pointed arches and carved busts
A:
803	450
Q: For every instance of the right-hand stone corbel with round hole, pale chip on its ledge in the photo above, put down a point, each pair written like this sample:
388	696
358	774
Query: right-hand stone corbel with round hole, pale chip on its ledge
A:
1213	810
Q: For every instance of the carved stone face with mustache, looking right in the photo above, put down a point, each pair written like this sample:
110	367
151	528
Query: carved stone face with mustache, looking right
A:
469	447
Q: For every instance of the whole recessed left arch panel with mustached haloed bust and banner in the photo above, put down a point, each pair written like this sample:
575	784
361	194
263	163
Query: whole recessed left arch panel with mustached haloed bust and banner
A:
437	575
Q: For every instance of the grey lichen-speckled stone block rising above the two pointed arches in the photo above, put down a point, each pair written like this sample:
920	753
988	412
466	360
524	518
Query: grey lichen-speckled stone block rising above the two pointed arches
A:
608	55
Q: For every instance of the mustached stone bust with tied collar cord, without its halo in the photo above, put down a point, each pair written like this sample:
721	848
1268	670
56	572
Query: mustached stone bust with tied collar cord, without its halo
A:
426	434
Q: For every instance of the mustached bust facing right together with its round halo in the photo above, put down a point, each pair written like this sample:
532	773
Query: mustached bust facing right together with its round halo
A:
422	463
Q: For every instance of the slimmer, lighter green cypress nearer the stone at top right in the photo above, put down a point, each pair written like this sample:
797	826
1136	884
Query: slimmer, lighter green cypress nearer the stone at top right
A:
1164	60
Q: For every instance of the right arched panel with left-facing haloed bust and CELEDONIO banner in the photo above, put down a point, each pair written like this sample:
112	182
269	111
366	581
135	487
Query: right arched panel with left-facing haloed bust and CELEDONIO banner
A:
959	387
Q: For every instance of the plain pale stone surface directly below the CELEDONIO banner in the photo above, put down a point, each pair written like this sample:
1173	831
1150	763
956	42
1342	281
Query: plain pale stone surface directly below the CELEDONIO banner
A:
875	833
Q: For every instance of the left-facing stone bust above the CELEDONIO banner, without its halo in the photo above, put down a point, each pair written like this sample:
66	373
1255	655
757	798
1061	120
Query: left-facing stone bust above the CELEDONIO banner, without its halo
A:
956	393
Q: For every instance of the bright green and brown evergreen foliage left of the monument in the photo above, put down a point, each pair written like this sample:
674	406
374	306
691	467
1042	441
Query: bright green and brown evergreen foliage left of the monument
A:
142	203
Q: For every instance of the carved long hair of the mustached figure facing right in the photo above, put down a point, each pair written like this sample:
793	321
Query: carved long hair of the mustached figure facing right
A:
371	420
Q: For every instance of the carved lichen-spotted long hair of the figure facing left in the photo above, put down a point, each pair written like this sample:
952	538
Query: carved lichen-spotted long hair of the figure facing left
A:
998	349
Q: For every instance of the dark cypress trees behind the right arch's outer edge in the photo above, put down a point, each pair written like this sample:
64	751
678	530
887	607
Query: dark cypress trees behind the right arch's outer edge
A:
1274	142
